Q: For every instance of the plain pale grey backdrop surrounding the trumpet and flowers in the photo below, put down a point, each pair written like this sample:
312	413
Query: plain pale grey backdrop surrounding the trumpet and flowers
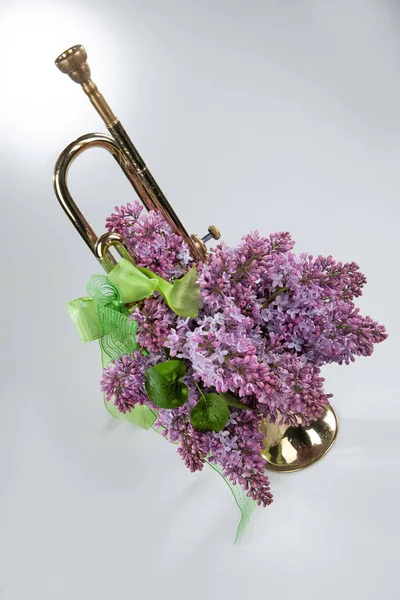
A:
270	115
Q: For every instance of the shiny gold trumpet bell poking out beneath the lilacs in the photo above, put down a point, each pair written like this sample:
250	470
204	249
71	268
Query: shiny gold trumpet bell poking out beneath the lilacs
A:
289	448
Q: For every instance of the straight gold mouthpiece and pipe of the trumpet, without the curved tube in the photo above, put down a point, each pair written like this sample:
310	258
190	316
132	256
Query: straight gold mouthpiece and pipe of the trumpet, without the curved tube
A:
73	62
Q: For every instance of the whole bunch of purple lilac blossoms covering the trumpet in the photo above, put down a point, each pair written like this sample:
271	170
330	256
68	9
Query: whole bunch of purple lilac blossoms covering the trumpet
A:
268	320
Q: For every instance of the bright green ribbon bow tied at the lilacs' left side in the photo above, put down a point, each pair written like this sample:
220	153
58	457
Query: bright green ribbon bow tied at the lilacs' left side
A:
103	313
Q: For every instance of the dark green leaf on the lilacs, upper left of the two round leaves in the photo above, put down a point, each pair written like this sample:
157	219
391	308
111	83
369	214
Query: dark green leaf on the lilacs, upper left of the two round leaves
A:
164	384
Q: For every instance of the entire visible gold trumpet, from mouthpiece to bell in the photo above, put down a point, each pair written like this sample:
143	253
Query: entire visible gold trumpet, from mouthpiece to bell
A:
286	448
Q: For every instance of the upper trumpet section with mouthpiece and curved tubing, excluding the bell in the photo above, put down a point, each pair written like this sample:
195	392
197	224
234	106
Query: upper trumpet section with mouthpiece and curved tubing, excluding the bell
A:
73	62
